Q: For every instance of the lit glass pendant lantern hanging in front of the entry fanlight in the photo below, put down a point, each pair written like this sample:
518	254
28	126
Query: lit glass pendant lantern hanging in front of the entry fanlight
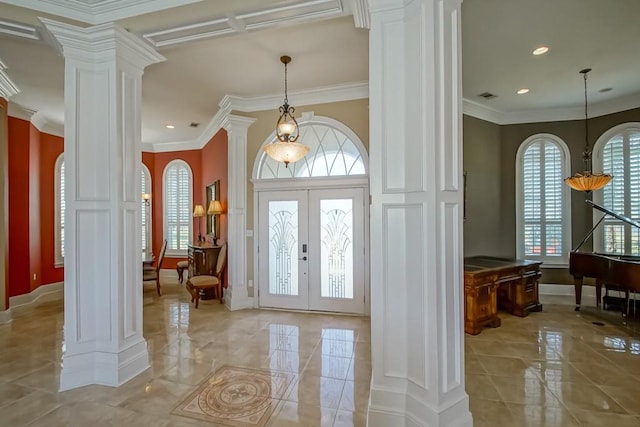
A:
286	149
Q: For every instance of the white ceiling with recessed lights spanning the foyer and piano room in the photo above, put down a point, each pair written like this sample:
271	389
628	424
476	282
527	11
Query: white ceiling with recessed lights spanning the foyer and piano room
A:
236	48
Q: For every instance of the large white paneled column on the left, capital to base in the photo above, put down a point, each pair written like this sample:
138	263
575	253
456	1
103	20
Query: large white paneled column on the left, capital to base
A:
103	255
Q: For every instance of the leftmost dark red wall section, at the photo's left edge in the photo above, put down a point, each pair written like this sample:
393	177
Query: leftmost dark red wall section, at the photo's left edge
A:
19	253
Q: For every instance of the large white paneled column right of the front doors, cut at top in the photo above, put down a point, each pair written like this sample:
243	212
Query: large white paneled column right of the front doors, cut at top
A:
416	215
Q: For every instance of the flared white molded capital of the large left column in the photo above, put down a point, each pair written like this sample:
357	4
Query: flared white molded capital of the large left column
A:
100	42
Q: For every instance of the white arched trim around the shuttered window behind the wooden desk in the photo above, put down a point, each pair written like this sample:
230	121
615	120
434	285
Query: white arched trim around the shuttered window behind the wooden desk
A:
562	261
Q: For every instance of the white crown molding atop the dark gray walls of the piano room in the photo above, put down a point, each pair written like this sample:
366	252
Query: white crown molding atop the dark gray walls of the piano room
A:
488	114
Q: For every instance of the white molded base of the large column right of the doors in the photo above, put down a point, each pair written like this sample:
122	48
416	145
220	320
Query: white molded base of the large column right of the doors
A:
397	408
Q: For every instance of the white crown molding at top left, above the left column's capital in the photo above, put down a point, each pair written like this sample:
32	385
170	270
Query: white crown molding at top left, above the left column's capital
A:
98	12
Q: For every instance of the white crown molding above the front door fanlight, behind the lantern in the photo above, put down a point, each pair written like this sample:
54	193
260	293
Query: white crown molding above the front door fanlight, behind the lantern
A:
323	95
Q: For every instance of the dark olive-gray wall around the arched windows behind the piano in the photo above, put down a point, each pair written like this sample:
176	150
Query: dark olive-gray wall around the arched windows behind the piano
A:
487	167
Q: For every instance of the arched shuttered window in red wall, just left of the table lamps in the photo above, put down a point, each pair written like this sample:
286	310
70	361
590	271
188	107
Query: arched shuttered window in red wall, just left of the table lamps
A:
177	190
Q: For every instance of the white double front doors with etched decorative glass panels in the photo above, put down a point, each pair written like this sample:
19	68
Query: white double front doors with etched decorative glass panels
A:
311	250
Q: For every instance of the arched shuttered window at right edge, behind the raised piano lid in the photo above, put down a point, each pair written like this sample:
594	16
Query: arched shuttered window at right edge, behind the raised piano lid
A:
617	152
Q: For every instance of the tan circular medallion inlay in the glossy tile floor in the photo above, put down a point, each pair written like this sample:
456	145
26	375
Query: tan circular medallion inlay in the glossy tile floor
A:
236	397
